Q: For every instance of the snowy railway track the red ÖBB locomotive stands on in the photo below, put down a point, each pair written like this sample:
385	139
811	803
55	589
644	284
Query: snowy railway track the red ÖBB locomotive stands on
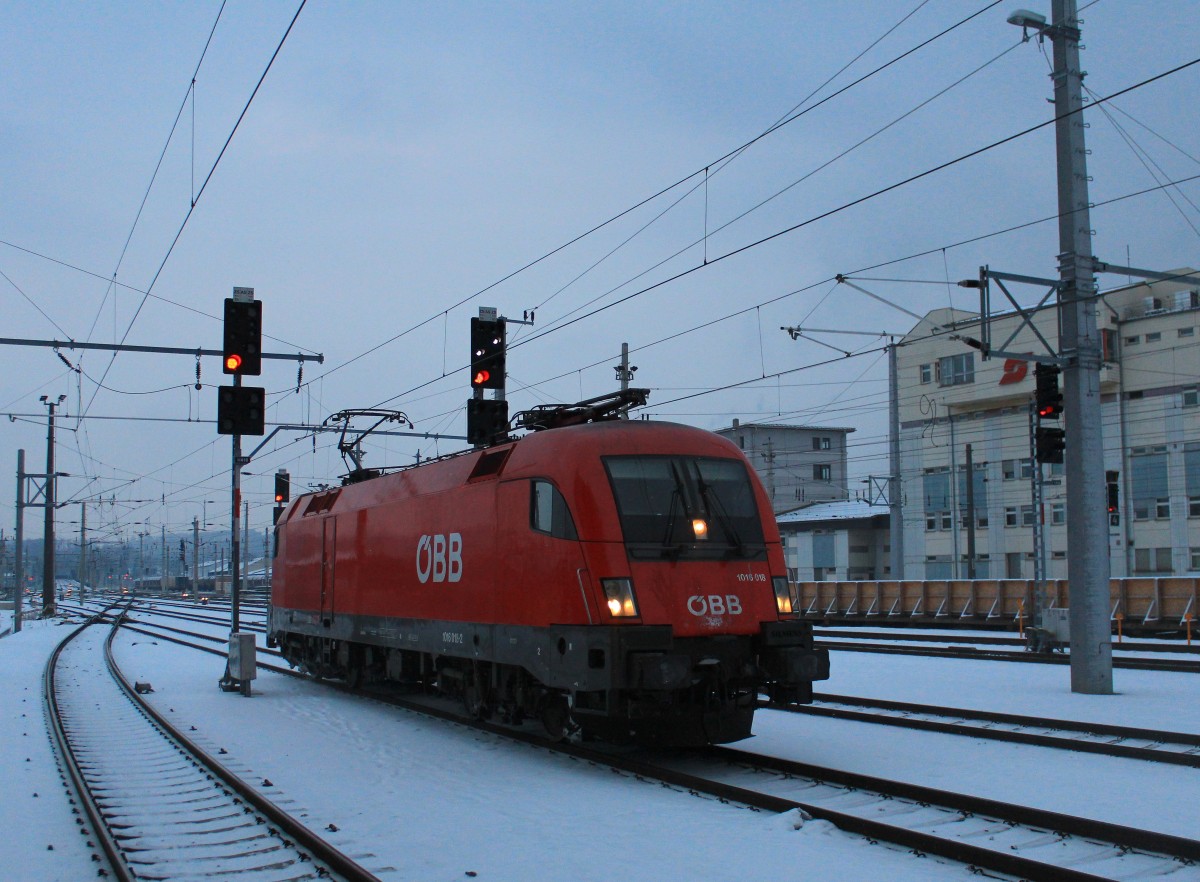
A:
988	836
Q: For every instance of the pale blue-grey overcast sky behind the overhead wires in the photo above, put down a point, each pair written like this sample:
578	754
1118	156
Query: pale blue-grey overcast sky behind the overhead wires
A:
403	160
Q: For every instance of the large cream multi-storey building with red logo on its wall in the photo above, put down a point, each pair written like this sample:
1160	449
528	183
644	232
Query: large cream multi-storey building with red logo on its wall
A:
951	399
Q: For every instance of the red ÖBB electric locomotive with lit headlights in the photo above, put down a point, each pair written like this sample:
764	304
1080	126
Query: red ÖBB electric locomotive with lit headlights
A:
621	577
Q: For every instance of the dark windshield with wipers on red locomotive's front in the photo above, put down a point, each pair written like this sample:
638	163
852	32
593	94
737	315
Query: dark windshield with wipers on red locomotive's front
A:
683	507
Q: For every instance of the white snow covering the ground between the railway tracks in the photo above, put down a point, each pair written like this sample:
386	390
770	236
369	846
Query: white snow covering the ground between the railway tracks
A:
435	801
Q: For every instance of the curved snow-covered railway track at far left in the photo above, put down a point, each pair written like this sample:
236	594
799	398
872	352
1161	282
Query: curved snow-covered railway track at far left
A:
159	806
